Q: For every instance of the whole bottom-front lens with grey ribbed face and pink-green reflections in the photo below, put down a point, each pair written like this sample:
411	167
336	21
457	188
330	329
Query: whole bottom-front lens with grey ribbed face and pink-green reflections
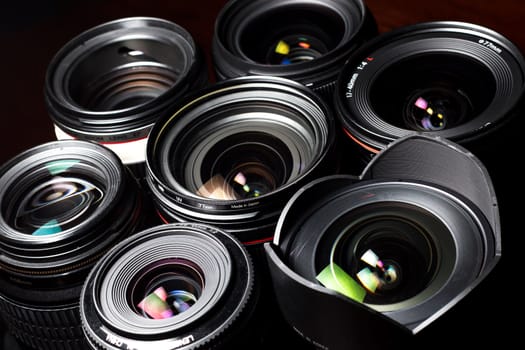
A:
173	285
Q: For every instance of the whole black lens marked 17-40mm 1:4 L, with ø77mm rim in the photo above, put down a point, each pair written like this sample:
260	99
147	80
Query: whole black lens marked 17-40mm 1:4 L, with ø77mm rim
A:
450	79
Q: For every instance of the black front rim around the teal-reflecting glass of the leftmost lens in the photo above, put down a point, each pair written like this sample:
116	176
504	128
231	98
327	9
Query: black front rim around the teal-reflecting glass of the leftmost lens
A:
49	259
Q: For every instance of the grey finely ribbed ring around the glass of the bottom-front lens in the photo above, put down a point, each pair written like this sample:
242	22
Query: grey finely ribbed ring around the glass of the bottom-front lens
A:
209	256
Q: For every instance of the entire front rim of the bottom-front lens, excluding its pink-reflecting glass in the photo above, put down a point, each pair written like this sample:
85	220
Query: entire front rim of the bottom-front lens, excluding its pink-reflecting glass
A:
226	299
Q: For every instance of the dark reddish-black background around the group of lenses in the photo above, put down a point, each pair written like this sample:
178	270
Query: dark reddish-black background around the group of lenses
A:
31	33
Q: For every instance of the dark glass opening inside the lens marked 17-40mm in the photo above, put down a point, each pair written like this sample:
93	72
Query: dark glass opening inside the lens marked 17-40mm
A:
433	91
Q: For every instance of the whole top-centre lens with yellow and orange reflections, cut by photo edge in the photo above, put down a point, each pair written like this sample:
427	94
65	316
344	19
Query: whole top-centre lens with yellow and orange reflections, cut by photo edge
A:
307	41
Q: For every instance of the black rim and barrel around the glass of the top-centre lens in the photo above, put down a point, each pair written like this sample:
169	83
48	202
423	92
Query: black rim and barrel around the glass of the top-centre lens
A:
230	60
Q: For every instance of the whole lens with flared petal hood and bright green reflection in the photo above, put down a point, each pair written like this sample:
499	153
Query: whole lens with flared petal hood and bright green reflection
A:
368	262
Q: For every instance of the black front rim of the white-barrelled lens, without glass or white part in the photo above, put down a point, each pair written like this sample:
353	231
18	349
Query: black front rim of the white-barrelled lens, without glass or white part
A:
127	123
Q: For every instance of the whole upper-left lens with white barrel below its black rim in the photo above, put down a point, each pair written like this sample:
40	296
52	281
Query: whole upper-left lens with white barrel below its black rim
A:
110	83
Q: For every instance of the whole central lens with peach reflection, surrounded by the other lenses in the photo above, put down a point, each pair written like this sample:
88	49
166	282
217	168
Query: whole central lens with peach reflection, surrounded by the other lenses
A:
232	154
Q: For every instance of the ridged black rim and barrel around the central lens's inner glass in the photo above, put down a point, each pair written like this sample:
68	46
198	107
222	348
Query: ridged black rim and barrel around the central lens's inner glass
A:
297	111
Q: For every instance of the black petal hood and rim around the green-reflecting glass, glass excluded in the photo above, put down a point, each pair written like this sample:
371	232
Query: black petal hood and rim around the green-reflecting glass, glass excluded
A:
469	247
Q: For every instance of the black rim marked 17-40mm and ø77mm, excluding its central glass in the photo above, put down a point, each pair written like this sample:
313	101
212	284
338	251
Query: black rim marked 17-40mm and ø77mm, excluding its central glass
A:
491	63
